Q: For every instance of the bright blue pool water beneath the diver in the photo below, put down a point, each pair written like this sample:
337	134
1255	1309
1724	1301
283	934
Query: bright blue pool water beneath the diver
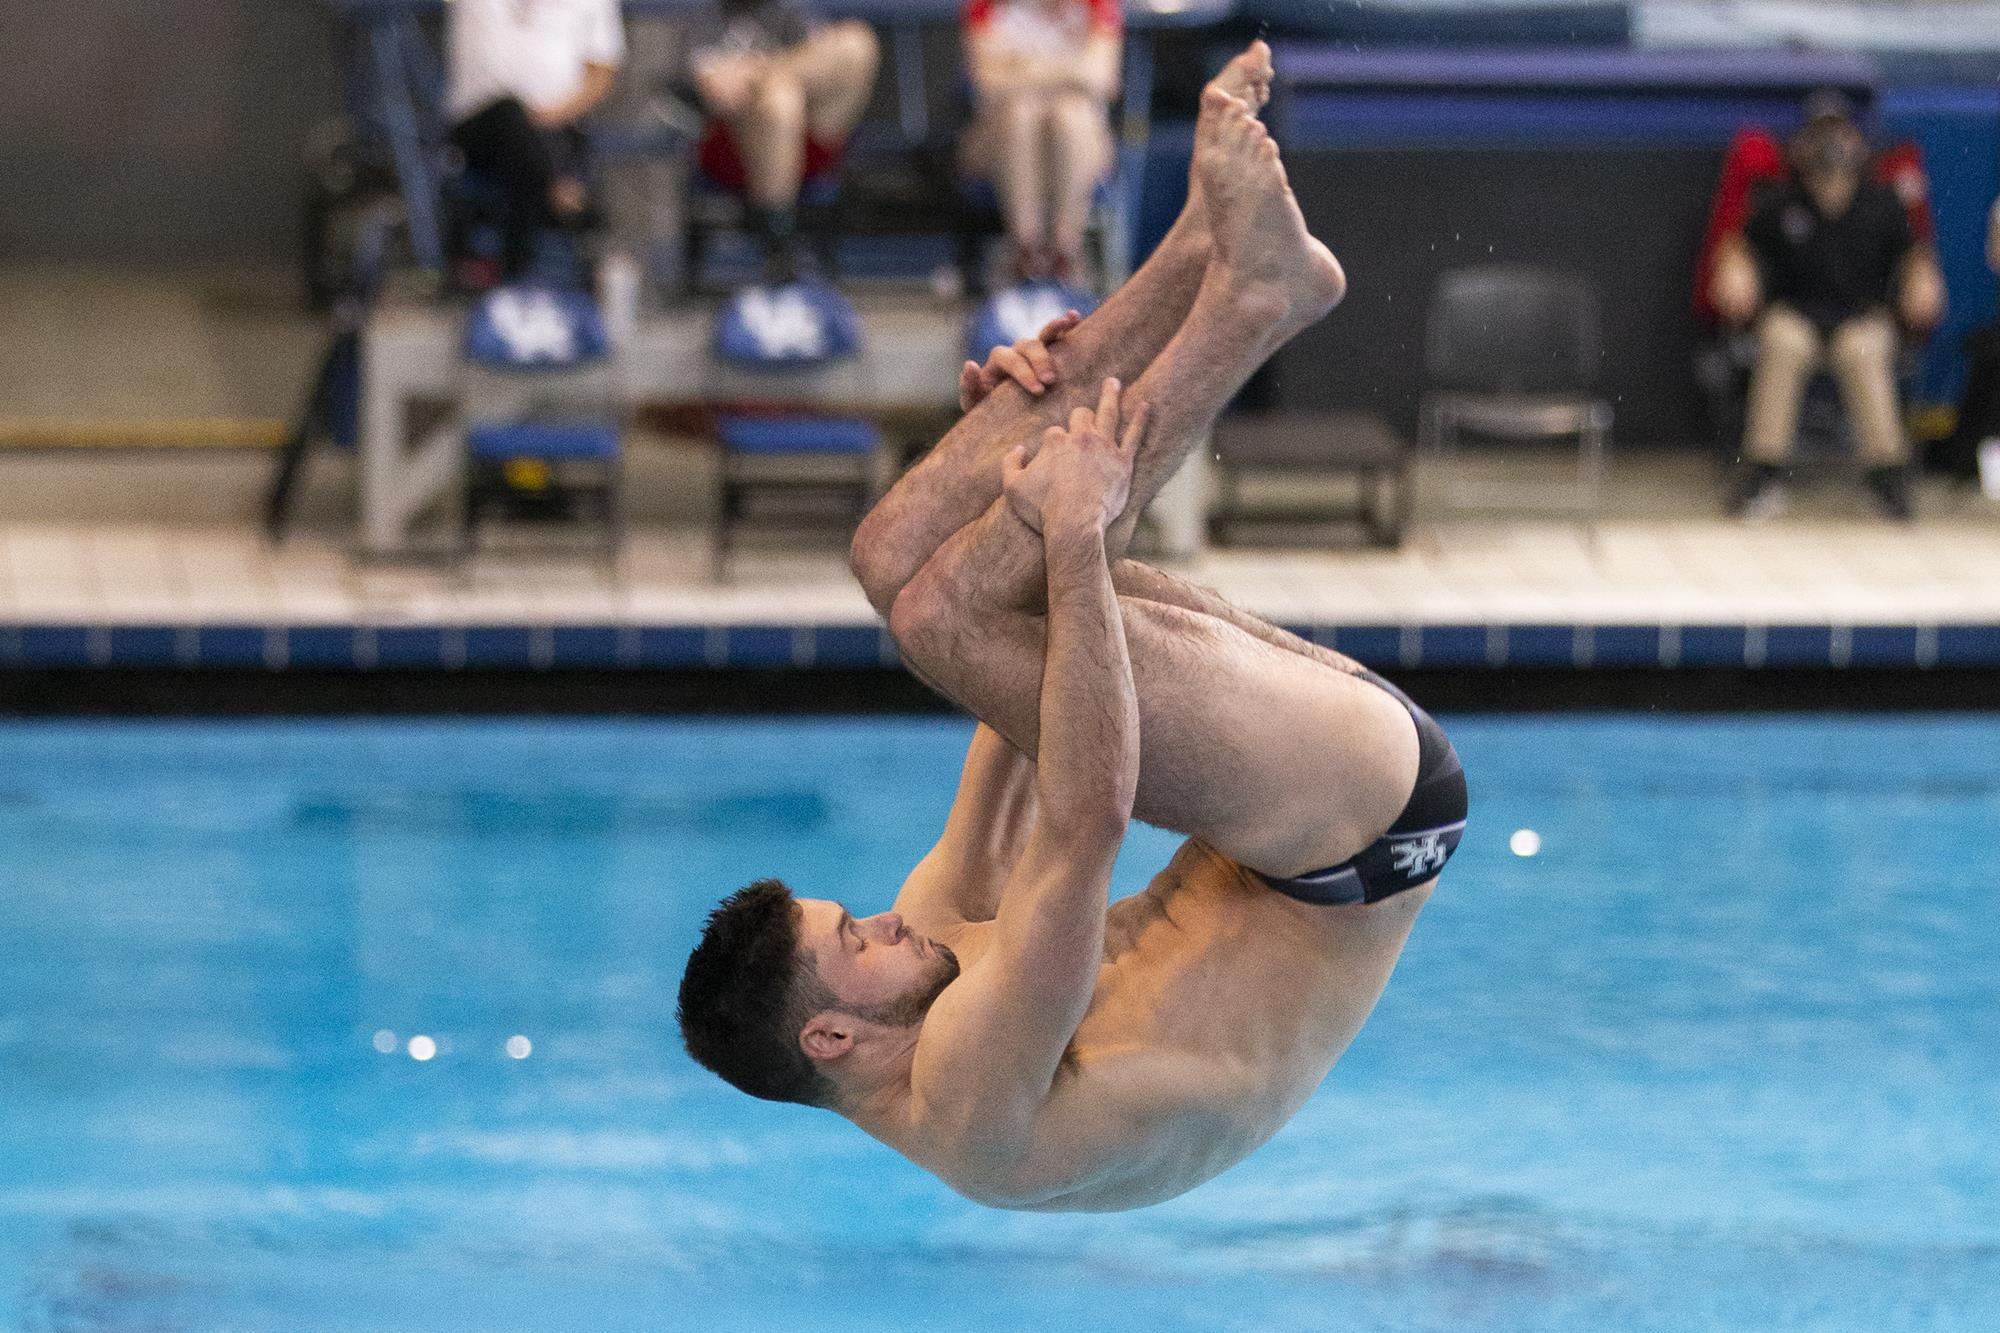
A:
1723	1056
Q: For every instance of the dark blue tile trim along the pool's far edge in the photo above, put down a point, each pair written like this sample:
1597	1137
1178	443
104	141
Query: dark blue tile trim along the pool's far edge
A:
807	645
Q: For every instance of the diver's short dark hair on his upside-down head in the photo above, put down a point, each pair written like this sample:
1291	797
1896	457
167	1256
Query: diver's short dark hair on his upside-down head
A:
747	996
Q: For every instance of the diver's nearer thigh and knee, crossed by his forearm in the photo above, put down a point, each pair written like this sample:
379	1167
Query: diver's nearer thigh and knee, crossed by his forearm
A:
1249	746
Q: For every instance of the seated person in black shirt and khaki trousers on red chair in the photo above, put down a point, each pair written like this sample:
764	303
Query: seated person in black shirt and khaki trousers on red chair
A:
1827	267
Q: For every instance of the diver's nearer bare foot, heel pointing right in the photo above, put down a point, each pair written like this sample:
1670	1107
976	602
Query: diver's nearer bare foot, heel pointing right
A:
1275	269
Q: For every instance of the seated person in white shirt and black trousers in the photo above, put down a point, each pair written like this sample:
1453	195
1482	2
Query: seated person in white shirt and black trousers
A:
523	75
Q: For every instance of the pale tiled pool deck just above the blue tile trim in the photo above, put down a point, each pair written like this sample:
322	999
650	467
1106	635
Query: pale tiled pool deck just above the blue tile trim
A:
1825	563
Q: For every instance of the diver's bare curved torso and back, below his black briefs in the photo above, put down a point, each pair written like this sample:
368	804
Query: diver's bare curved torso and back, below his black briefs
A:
1217	1012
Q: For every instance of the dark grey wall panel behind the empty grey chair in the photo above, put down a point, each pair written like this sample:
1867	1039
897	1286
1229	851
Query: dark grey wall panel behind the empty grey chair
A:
1629	219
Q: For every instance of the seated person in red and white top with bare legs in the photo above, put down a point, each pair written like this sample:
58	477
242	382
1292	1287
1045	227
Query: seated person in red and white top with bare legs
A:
1043	79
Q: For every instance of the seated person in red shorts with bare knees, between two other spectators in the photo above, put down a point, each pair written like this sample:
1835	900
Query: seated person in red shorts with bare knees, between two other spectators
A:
783	93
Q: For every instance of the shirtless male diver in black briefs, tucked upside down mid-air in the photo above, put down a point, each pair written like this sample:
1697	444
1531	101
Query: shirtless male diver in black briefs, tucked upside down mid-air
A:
1005	1026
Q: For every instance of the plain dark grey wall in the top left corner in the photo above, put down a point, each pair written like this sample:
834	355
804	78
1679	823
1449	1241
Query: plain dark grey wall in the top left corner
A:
159	131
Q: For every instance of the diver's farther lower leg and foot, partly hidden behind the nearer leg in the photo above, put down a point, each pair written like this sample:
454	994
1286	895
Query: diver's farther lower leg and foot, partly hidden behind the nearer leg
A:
961	477
